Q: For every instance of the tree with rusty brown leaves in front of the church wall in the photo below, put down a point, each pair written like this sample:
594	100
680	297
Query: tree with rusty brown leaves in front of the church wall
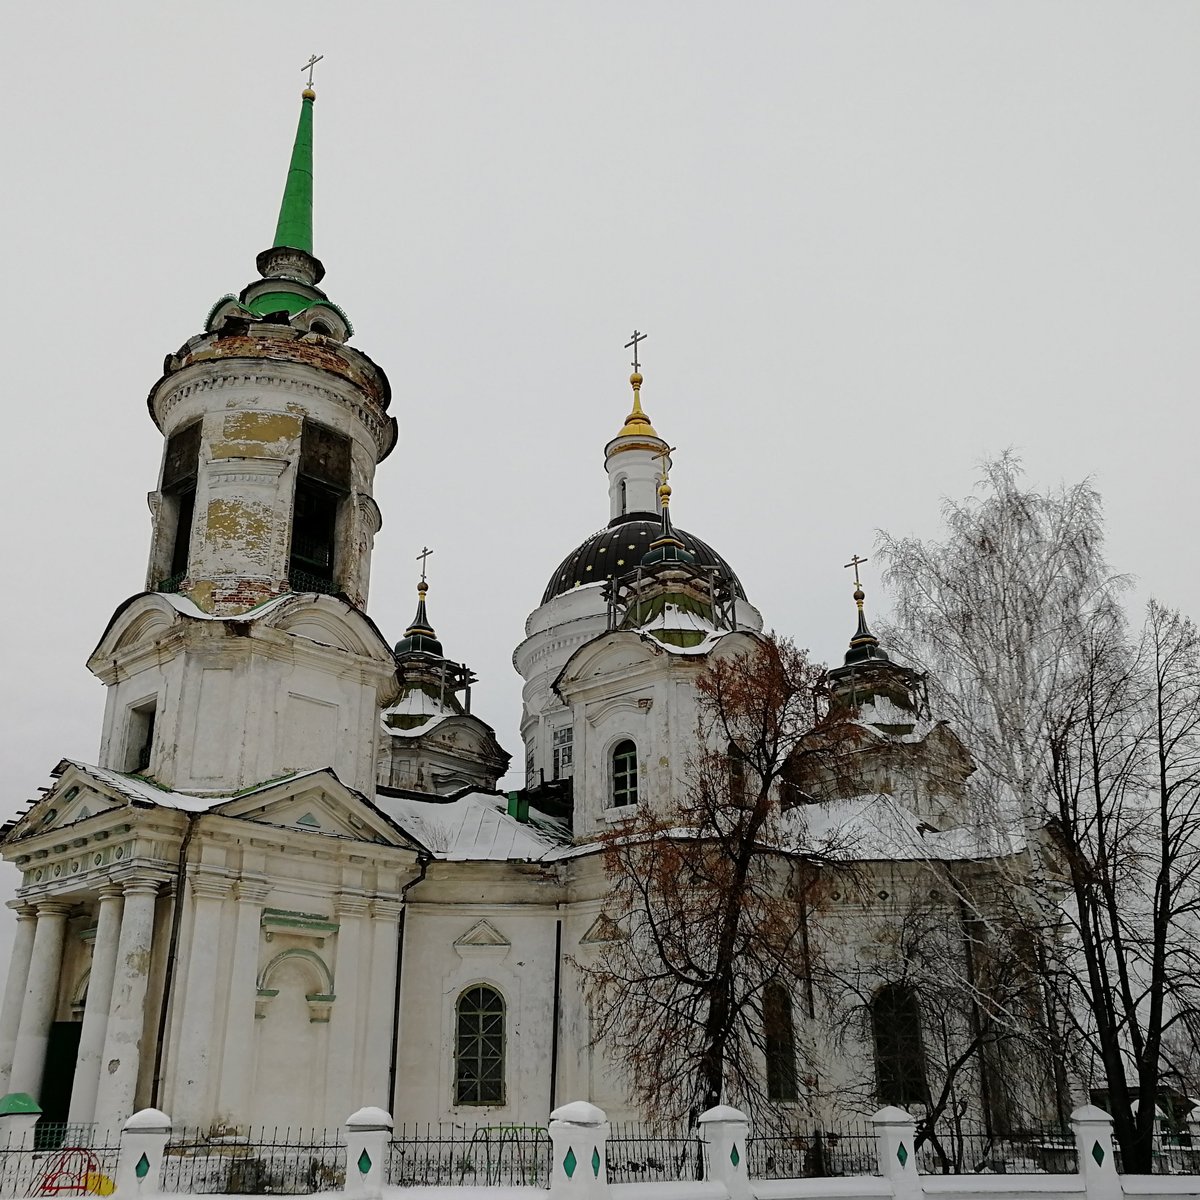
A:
715	896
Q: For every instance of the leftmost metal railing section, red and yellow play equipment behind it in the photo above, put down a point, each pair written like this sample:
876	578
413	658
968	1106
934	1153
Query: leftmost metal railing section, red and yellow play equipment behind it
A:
61	1160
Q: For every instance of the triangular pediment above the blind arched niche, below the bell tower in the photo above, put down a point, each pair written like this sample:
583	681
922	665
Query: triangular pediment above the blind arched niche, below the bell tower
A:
315	803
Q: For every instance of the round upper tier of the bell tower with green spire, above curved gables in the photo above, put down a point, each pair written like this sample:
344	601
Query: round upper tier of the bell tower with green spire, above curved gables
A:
273	429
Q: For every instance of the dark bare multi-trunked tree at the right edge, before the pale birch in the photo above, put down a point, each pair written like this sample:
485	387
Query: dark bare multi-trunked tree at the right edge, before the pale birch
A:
1125	793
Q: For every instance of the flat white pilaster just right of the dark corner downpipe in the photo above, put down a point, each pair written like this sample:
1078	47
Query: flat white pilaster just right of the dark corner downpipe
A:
199	1042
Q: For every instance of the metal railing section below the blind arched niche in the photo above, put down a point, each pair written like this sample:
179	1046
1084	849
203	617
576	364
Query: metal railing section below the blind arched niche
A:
278	1161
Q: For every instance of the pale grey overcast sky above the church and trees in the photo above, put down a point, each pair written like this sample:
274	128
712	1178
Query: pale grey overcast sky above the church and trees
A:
871	244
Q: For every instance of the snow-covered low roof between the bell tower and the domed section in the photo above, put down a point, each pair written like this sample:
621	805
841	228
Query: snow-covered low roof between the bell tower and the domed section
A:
475	827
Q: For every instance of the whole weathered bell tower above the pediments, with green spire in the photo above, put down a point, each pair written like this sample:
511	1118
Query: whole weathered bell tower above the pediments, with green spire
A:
250	657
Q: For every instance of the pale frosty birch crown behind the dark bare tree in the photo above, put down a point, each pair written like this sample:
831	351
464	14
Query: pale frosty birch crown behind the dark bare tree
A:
994	613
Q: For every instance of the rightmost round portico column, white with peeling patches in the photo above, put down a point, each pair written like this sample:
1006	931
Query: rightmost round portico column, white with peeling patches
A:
127	1015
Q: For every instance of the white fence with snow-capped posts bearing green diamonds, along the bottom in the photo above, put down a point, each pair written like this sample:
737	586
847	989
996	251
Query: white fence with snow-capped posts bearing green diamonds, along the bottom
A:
572	1160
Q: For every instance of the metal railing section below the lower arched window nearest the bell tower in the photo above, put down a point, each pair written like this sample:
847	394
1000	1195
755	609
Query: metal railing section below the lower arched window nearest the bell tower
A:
452	1155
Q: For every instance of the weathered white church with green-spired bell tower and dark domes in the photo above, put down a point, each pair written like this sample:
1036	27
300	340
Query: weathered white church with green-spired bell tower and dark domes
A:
290	887
